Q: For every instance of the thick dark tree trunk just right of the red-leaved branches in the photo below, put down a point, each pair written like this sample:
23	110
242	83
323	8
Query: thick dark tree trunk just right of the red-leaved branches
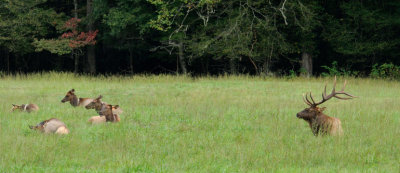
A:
91	54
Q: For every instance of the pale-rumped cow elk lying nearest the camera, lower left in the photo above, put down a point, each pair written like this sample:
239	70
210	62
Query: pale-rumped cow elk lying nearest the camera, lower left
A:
52	125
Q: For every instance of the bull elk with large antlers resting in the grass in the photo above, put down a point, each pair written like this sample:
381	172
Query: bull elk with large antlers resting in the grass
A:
314	116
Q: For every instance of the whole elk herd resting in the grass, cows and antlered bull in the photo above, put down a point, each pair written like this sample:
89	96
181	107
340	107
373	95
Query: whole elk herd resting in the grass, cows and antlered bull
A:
319	123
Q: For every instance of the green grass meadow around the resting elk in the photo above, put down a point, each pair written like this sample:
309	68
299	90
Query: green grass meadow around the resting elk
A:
182	124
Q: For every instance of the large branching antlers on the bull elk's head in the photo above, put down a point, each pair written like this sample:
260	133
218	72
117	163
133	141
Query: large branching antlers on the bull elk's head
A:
333	94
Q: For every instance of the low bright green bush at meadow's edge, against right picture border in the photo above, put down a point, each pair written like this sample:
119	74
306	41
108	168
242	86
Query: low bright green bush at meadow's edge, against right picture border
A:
385	71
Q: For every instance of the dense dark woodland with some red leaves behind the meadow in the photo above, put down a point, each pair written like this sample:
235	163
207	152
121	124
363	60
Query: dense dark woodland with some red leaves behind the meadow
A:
201	37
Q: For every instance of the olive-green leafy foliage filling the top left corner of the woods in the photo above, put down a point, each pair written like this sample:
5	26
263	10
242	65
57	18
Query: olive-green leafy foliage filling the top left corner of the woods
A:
22	21
